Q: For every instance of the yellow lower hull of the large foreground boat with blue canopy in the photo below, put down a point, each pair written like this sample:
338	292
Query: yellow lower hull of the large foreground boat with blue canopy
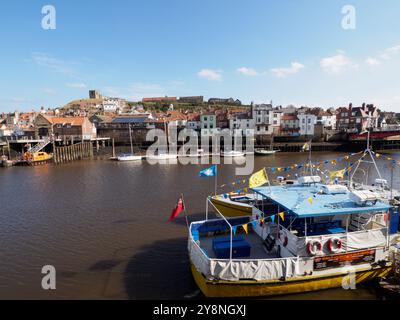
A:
246	288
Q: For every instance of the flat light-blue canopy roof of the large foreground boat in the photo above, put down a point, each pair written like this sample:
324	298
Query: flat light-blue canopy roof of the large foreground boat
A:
296	200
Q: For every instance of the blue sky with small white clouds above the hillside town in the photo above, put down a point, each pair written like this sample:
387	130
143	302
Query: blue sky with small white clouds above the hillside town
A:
288	51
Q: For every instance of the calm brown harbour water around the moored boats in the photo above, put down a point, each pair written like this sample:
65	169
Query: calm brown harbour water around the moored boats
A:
103	225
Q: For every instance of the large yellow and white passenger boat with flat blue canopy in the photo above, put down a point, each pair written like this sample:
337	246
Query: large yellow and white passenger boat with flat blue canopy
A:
313	236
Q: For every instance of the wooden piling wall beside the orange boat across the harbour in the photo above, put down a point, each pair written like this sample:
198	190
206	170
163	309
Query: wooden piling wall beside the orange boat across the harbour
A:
79	151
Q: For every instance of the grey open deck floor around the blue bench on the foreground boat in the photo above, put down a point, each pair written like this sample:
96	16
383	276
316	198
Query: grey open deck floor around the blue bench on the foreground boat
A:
258	250
